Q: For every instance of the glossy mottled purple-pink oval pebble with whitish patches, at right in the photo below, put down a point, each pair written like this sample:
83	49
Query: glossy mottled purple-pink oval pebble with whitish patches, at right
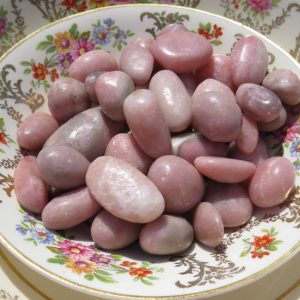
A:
259	103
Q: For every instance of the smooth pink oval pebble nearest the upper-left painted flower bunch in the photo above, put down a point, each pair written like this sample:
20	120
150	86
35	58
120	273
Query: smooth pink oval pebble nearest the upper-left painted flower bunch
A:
90	62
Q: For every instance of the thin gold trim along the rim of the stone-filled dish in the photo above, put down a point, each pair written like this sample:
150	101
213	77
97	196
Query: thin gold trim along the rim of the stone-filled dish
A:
93	291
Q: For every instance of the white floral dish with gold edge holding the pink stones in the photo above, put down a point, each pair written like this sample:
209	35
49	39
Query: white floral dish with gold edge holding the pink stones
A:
69	257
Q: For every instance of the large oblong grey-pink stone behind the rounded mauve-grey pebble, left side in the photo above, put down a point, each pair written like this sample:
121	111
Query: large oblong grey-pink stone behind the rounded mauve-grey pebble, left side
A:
88	132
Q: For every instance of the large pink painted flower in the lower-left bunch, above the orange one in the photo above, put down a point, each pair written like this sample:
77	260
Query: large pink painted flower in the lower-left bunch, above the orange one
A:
74	250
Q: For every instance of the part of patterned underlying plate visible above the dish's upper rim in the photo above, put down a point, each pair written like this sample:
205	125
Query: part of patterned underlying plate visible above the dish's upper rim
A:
277	19
